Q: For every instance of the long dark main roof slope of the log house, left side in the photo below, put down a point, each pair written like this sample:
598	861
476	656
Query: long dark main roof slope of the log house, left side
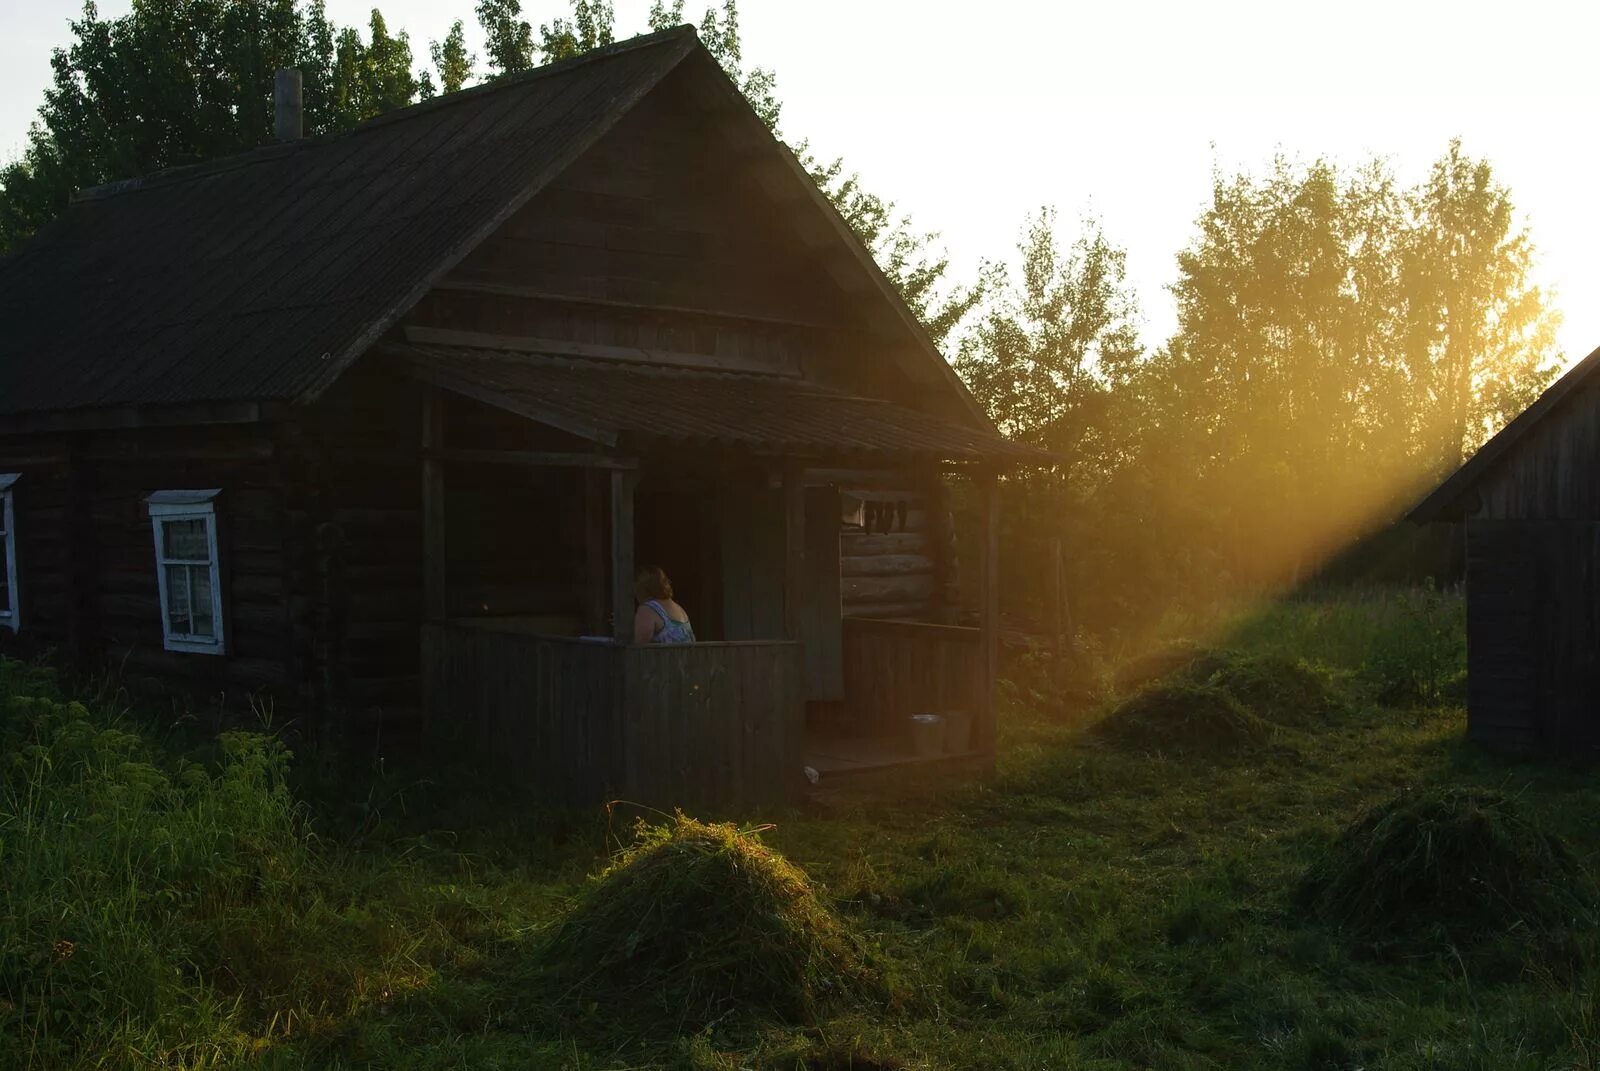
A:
260	278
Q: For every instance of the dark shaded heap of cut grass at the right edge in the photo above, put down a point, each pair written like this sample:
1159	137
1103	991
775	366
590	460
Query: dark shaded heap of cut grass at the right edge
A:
1455	865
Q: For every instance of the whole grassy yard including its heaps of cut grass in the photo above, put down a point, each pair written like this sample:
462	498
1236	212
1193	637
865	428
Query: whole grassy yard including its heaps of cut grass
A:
1319	889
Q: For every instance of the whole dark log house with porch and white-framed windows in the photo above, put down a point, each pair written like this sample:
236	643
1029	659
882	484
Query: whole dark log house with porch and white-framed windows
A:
383	422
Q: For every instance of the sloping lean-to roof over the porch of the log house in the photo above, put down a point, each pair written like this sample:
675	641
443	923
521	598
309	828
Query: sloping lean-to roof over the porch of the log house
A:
633	404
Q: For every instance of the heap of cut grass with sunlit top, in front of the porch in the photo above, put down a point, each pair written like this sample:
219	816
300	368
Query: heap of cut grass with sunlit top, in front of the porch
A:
698	923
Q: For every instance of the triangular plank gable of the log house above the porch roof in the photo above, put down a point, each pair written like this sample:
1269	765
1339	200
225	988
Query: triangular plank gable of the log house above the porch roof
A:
657	246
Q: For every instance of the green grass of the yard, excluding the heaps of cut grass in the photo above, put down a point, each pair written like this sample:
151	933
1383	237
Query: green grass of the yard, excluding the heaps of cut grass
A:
1094	905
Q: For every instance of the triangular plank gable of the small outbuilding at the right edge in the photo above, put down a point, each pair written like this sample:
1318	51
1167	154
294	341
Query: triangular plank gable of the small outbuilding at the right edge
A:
1554	473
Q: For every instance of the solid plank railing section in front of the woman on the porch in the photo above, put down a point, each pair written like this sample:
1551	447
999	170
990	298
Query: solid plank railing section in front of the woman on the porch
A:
711	724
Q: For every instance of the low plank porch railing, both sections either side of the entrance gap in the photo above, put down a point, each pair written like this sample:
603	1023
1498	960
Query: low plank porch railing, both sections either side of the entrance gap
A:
719	724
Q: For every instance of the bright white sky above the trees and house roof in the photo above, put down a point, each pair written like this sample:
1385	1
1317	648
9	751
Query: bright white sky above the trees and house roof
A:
972	116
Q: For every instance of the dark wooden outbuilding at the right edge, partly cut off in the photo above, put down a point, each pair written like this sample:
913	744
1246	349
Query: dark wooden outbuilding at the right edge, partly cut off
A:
1530	503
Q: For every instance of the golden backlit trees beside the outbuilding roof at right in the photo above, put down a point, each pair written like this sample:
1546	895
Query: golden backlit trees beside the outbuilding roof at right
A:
1342	345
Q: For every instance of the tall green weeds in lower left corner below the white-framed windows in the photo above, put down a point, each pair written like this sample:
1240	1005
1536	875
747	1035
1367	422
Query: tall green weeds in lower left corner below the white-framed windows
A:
130	883
